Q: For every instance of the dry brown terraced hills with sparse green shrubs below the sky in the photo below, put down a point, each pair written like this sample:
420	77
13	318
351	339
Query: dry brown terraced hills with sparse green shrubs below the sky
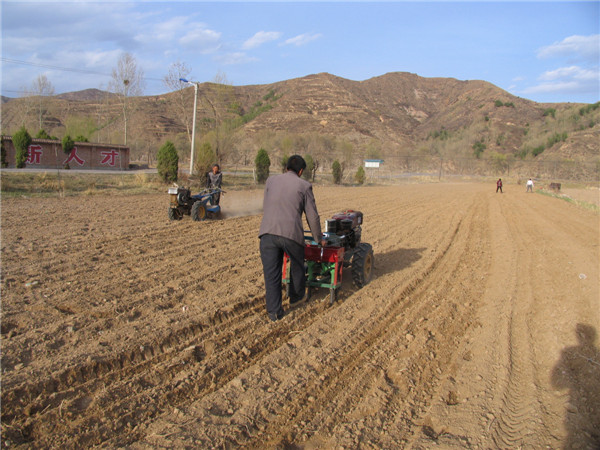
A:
396	116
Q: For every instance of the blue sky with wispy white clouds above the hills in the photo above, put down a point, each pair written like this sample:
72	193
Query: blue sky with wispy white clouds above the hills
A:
542	51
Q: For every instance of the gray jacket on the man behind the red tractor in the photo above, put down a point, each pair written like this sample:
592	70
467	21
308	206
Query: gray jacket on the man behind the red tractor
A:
287	196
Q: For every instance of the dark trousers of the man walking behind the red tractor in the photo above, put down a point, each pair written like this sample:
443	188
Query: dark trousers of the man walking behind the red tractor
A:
271	254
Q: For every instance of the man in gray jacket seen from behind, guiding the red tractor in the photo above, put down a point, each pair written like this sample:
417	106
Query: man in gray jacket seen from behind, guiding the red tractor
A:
287	196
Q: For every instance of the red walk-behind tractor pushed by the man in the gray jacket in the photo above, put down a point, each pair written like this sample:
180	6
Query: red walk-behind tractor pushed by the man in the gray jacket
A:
324	265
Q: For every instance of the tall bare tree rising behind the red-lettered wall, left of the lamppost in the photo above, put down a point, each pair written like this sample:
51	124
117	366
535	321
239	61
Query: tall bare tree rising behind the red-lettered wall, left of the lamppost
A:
127	81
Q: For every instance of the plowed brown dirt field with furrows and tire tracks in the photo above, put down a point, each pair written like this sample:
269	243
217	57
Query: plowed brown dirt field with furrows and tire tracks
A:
121	328
